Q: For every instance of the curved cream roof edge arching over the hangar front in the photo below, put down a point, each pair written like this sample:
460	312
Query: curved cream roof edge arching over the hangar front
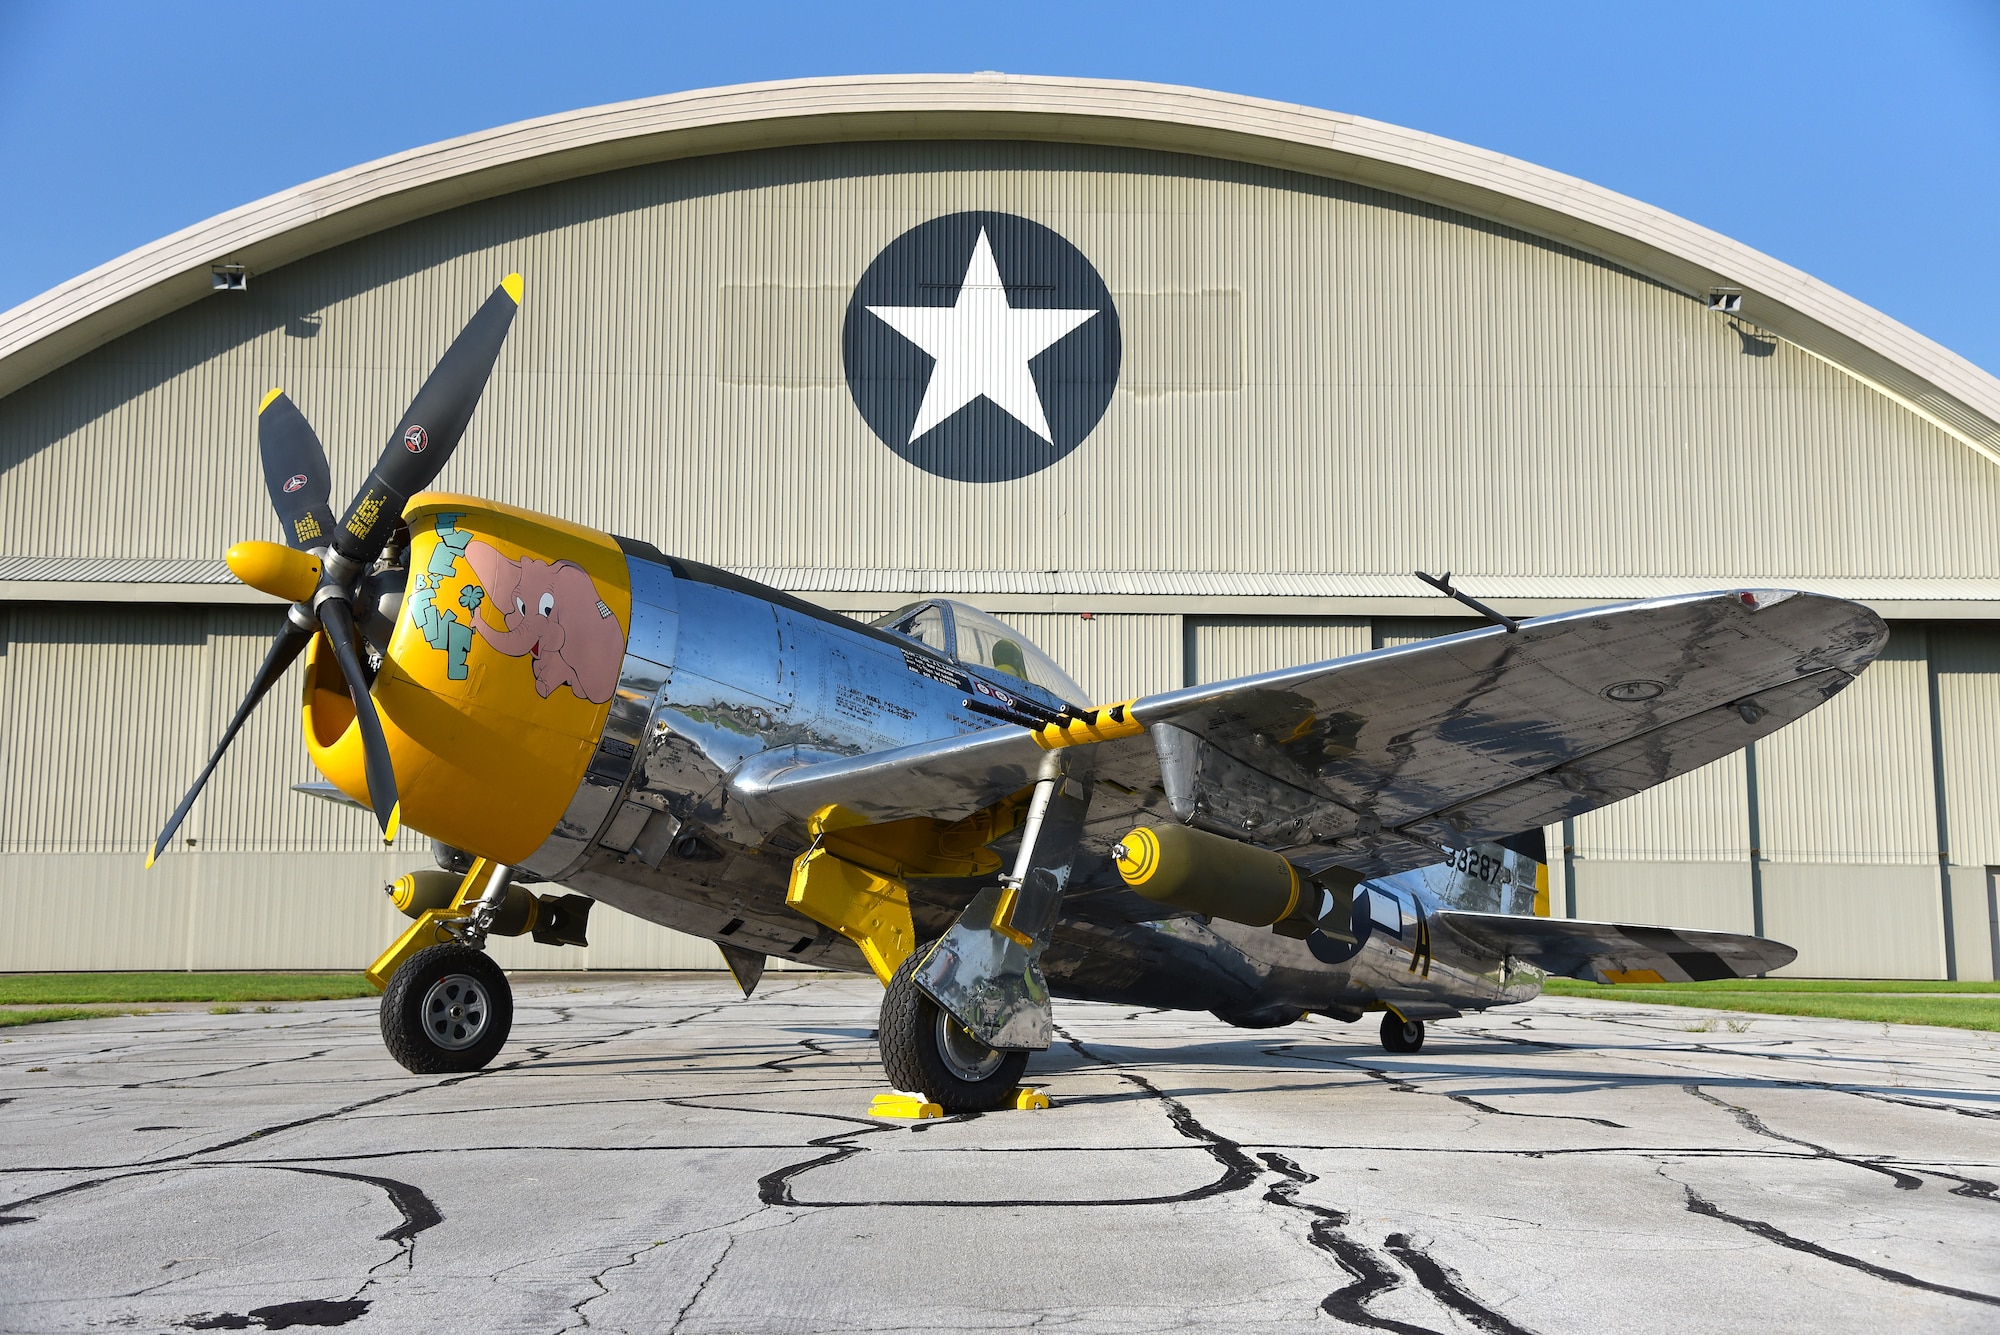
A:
175	271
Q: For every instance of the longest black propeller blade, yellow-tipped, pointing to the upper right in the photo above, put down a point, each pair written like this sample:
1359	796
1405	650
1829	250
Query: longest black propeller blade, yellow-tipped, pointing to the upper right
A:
431	431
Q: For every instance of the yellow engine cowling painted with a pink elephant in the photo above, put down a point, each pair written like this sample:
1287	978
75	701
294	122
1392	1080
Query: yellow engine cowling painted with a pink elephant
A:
499	676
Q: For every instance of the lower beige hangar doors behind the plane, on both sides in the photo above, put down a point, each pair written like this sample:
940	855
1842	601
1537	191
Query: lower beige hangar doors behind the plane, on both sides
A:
111	712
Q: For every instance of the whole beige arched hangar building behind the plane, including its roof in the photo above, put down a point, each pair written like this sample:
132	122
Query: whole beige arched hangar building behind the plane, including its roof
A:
1315	355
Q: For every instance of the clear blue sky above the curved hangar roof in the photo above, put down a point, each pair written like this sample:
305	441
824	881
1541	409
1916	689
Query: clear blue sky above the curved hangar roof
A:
1855	141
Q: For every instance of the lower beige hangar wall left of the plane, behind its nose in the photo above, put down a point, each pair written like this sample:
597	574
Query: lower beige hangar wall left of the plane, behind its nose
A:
109	716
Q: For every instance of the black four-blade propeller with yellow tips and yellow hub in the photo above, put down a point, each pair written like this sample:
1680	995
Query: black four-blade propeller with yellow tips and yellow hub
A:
327	561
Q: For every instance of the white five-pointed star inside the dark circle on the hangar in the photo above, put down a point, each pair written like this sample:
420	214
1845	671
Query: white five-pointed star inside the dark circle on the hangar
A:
983	347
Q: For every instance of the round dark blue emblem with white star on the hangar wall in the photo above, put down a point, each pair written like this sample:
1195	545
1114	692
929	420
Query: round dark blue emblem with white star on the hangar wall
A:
981	347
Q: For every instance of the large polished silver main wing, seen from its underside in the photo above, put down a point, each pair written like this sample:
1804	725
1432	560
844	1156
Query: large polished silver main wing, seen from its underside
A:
1377	760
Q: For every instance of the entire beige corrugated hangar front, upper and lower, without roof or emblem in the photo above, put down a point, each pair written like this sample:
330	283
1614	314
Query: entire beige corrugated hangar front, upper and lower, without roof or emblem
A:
1317	379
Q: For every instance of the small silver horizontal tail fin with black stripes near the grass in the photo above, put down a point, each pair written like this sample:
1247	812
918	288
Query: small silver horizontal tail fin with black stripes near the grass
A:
1619	952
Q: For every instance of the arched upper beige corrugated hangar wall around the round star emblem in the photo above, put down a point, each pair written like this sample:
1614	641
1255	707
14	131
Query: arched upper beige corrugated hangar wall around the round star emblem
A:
1365	385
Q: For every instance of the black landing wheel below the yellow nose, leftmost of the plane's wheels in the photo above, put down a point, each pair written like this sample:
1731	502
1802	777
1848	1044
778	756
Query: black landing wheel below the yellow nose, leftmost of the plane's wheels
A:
447	1010
